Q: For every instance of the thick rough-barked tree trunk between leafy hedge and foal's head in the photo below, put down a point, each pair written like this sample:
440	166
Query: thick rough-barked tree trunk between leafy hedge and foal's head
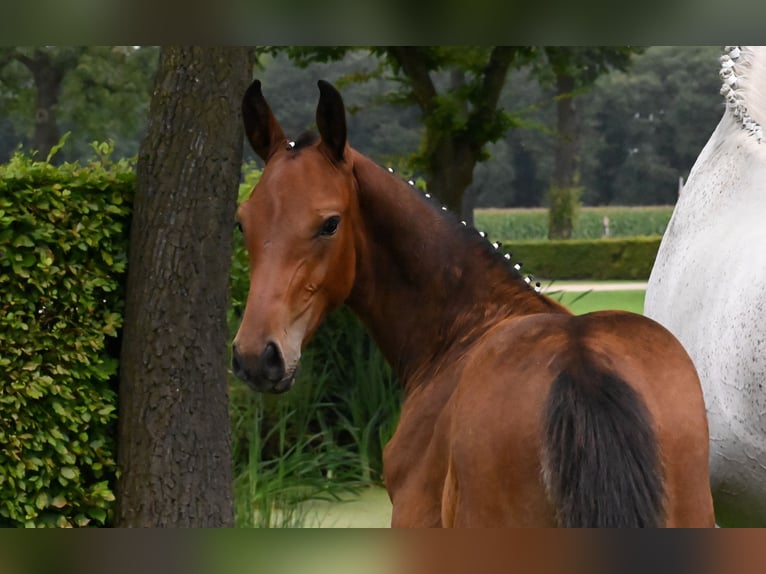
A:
174	435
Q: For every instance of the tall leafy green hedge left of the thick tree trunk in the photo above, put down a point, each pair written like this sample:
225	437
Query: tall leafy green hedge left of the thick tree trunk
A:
63	244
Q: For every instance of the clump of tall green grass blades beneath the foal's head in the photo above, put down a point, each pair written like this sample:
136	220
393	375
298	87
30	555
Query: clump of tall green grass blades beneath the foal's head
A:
321	441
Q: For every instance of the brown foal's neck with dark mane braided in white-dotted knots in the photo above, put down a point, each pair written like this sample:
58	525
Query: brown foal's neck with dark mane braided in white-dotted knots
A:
426	286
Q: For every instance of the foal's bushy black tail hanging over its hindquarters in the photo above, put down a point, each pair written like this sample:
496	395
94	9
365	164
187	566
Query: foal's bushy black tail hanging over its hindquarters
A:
601	462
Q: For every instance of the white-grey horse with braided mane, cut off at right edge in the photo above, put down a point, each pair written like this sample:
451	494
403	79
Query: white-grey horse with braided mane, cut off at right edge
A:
708	286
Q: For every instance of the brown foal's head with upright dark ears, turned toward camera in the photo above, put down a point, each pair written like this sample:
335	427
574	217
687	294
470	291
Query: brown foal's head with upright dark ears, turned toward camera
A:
298	226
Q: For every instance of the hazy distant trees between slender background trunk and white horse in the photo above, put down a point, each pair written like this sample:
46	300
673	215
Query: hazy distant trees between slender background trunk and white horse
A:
643	129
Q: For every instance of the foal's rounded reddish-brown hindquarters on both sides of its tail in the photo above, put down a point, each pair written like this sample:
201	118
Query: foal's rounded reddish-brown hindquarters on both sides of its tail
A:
495	424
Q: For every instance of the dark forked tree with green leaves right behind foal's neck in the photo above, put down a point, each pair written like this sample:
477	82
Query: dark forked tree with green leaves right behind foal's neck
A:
457	90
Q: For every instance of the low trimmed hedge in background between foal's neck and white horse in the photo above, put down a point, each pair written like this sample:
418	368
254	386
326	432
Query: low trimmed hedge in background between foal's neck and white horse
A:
628	258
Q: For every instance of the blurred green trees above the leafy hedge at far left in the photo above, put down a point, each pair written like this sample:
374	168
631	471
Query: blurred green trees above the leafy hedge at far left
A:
97	93
